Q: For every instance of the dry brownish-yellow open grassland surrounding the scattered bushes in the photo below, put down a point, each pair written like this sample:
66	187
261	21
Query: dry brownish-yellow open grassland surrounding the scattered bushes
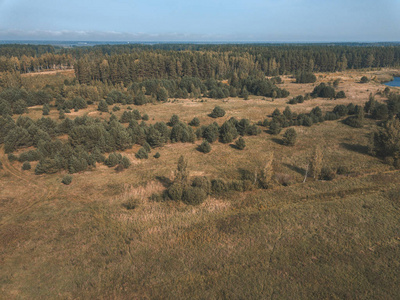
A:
314	240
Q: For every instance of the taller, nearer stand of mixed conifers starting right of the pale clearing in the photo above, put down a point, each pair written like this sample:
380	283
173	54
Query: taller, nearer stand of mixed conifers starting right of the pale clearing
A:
127	63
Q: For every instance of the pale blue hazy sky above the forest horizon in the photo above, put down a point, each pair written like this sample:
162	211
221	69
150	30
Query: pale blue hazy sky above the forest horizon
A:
205	20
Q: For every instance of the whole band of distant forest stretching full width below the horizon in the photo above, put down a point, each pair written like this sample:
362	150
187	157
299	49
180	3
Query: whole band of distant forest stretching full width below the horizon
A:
116	64
